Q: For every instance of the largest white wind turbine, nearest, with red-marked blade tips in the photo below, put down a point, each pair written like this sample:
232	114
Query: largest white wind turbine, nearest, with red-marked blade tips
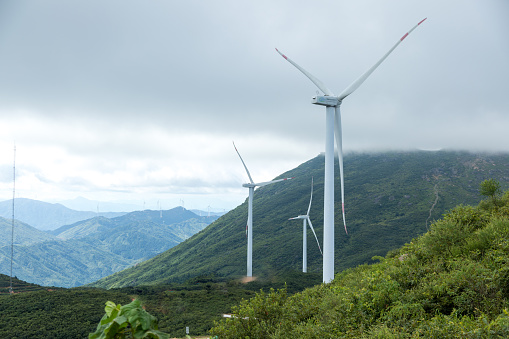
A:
333	127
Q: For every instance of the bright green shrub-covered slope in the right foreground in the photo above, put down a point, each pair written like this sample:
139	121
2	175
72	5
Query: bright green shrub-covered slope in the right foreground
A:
451	282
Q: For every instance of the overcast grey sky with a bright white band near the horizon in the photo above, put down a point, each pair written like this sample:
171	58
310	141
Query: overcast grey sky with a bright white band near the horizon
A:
141	100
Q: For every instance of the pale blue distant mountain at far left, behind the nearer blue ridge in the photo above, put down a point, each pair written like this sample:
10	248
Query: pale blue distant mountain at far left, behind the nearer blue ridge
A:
46	216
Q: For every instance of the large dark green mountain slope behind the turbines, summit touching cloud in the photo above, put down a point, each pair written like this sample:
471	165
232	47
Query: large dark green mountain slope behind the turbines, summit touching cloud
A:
390	198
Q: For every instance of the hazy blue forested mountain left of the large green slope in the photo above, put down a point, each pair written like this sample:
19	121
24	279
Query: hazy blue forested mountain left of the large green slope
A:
85	251
